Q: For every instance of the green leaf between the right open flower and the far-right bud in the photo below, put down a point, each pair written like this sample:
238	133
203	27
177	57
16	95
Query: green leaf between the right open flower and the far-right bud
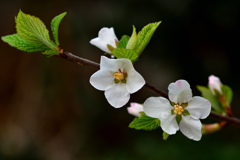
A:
207	93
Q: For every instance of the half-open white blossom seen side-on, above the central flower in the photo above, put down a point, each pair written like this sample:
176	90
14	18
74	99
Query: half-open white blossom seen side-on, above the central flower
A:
105	36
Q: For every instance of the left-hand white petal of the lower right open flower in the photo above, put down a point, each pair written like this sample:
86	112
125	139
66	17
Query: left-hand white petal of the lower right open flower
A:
155	106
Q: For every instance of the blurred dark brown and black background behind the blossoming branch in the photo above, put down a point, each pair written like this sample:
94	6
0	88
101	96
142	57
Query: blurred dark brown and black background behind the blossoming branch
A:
49	111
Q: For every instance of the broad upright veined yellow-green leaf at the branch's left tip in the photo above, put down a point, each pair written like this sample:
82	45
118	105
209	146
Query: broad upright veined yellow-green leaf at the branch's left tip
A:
33	30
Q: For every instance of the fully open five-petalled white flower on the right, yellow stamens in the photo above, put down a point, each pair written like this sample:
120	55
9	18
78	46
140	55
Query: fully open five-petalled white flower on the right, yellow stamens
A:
186	108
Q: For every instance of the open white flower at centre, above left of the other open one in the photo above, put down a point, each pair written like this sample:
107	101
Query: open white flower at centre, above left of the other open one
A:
118	79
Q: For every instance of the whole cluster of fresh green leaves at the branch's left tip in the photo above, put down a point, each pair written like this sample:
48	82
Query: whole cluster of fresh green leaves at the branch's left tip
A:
32	35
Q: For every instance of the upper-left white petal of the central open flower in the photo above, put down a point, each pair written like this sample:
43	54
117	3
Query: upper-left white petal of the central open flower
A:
108	64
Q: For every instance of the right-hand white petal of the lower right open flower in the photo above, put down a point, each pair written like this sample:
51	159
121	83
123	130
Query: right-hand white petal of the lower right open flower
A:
199	108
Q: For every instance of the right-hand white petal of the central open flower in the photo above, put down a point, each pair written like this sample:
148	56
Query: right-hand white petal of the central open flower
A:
134	81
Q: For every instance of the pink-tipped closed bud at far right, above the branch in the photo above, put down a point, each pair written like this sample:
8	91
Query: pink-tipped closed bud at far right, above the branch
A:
215	84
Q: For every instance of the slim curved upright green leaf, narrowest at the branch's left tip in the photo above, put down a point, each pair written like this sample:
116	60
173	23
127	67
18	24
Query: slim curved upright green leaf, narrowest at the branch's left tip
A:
55	24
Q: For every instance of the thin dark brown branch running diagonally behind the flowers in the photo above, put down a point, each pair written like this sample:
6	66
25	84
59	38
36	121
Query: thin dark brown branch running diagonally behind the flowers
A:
82	61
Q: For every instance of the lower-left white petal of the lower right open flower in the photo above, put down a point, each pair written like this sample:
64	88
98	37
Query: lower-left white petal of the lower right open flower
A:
169	123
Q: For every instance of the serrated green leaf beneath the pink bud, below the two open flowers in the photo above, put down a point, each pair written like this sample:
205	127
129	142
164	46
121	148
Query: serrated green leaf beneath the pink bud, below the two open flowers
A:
145	123
